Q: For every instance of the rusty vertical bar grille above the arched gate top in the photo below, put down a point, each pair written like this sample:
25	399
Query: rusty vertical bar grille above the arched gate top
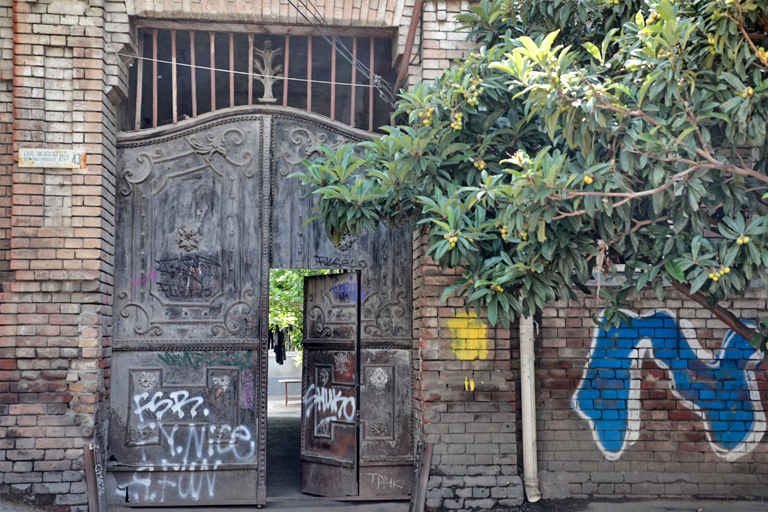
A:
299	71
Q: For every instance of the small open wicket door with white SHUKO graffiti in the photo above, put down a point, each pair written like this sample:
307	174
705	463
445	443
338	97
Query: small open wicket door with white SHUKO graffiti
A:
330	385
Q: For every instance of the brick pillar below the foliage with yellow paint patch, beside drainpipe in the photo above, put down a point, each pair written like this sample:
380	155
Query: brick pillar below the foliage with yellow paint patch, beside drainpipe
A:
464	396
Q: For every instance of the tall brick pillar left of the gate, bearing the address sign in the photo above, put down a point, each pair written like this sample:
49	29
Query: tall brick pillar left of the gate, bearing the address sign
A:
56	313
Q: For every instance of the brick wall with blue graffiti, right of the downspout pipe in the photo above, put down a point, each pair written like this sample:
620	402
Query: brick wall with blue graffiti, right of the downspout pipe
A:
687	436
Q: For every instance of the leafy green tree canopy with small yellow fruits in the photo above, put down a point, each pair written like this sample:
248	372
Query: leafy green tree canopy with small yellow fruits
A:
582	135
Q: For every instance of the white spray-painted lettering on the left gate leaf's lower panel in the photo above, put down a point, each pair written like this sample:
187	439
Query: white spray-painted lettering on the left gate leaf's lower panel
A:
185	434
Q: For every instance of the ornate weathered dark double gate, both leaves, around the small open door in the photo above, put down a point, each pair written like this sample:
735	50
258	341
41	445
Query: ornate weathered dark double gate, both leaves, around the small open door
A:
204	209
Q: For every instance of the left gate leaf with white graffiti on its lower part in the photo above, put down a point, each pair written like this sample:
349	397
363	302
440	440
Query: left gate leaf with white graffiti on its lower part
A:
186	419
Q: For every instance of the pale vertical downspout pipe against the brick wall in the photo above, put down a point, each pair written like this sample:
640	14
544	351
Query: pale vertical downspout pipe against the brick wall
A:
528	404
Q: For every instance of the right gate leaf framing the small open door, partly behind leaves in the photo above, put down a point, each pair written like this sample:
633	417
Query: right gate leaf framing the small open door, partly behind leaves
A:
384	259
